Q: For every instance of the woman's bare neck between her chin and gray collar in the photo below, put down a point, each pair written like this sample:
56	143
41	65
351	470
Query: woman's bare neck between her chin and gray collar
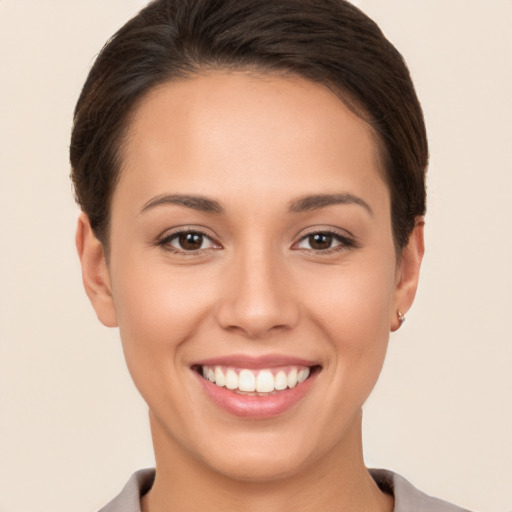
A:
338	481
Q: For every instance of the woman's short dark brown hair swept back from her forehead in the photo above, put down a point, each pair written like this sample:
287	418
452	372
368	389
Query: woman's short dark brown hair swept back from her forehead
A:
330	42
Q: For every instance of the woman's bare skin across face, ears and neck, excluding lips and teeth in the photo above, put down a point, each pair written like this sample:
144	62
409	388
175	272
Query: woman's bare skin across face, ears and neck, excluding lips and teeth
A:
255	145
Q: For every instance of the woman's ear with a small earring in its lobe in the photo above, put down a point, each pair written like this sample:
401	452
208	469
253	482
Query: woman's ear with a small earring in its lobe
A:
408	273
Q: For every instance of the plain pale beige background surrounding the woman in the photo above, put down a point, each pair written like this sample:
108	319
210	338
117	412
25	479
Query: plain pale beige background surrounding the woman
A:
72	427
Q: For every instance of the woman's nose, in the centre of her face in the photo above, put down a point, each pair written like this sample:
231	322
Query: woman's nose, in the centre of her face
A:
258	298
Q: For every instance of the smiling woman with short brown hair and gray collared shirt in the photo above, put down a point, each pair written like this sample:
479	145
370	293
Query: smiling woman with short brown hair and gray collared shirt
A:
251	175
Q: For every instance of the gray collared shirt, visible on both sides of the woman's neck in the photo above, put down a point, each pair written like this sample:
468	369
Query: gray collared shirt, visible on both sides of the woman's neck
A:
407	497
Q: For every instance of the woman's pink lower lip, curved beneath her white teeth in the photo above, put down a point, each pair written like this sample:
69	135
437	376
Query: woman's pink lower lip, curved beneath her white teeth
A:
256	407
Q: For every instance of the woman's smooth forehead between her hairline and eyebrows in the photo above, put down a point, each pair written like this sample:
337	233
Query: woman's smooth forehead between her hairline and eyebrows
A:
221	133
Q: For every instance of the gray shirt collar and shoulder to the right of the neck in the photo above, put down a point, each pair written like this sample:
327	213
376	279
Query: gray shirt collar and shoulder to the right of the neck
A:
407	497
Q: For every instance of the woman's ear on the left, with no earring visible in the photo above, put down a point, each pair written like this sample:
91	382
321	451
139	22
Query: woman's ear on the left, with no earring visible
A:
95	273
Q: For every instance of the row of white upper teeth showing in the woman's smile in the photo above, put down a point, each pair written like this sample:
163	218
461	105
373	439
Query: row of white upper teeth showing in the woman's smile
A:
253	381
